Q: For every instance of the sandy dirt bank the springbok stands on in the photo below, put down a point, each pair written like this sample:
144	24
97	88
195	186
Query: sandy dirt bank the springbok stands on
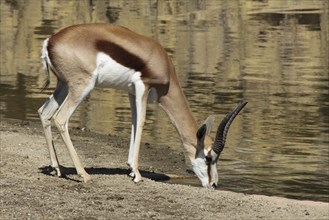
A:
29	190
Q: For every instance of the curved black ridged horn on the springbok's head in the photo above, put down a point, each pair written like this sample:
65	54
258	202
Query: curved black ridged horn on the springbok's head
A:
224	126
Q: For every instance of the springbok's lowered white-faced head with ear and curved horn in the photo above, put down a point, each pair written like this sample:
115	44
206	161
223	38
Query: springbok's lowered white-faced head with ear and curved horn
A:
205	163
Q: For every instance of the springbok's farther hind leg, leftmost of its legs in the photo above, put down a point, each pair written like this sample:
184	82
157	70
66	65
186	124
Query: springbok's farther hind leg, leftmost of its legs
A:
46	112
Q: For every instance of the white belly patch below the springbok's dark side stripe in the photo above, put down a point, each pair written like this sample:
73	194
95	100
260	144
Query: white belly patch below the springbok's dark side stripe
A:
112	74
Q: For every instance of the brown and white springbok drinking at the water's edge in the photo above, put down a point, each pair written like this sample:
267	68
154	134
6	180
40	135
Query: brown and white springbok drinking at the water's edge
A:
109	56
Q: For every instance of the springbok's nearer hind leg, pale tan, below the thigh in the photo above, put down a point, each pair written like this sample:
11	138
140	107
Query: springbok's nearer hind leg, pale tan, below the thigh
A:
61	119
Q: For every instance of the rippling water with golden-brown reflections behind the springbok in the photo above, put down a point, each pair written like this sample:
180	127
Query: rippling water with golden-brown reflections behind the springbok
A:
274	54
